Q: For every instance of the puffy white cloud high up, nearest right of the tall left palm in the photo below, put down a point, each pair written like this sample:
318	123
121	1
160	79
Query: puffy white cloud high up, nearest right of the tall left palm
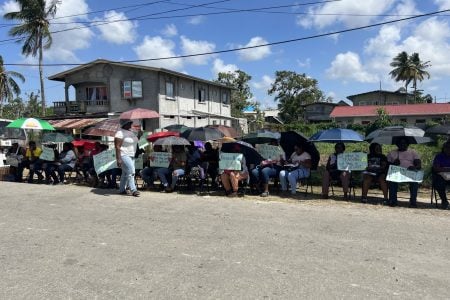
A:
122	32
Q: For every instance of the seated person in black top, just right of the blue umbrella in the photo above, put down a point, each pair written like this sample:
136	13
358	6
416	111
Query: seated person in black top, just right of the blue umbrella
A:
377	165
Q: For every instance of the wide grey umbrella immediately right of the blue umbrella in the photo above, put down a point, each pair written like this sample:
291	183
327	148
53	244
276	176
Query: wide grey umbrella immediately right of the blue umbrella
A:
390	135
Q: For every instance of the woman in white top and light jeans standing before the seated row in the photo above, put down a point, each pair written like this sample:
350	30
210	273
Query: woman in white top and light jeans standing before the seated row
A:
125	144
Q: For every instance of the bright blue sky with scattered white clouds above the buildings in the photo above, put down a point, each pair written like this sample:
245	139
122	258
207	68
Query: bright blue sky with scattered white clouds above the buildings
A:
344	64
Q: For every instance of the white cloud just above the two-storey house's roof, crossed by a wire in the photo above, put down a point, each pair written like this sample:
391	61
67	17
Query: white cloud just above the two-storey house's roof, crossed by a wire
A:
157	47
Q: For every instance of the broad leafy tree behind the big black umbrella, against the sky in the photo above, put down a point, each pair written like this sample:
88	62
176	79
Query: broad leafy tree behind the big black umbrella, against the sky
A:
292	91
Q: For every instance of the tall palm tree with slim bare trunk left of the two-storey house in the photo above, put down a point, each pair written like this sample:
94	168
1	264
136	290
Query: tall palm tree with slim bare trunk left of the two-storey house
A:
34	31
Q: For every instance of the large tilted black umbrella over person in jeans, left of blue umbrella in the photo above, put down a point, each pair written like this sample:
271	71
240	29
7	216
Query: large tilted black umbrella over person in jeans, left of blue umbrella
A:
291	138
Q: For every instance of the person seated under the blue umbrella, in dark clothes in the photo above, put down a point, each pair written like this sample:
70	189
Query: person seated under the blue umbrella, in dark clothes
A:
332	173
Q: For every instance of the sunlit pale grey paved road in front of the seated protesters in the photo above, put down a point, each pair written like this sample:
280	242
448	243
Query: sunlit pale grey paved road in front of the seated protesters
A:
69	242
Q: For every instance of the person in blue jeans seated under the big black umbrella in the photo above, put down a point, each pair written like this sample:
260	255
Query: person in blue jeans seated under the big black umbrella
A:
301	165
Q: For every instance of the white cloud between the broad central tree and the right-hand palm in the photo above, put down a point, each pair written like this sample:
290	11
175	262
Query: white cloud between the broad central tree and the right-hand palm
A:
347	66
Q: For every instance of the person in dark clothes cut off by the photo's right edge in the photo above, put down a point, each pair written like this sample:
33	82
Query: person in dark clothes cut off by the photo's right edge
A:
441	170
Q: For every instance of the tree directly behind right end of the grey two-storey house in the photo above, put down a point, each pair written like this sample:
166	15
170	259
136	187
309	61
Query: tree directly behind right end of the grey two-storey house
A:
240	94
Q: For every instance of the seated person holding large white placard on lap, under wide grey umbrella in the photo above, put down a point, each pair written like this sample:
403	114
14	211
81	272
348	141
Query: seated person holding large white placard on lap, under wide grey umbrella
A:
407	159
